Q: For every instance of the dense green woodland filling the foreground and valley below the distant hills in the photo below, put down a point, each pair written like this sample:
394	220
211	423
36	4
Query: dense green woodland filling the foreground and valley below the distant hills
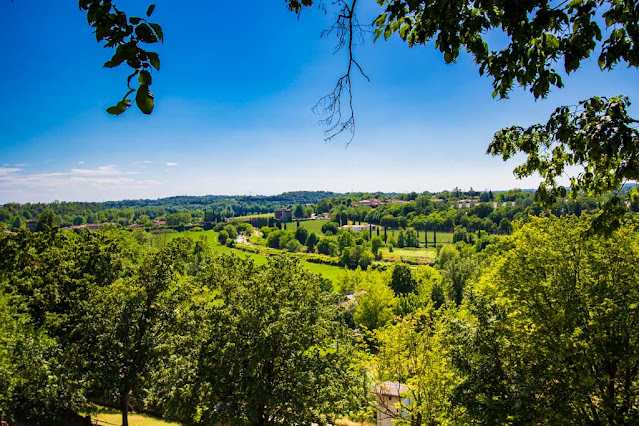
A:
538	324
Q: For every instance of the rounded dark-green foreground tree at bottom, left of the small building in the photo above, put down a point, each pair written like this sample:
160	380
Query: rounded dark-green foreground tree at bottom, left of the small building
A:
270	348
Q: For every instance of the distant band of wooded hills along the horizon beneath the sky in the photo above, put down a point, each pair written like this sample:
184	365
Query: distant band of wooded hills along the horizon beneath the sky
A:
490	211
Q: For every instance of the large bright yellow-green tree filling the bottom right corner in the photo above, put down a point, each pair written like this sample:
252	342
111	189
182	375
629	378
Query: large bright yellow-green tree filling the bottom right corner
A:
551	335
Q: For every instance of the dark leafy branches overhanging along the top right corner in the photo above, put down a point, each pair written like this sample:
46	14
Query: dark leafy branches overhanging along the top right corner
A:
541	35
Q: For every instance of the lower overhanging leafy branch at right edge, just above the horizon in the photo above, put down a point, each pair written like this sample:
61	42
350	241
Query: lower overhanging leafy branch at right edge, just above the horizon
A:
599	137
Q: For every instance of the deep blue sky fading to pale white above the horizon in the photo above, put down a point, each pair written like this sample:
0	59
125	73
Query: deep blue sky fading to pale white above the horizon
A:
233	109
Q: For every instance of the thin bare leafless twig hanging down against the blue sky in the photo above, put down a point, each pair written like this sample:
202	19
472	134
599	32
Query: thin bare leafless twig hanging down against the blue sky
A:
346	28
